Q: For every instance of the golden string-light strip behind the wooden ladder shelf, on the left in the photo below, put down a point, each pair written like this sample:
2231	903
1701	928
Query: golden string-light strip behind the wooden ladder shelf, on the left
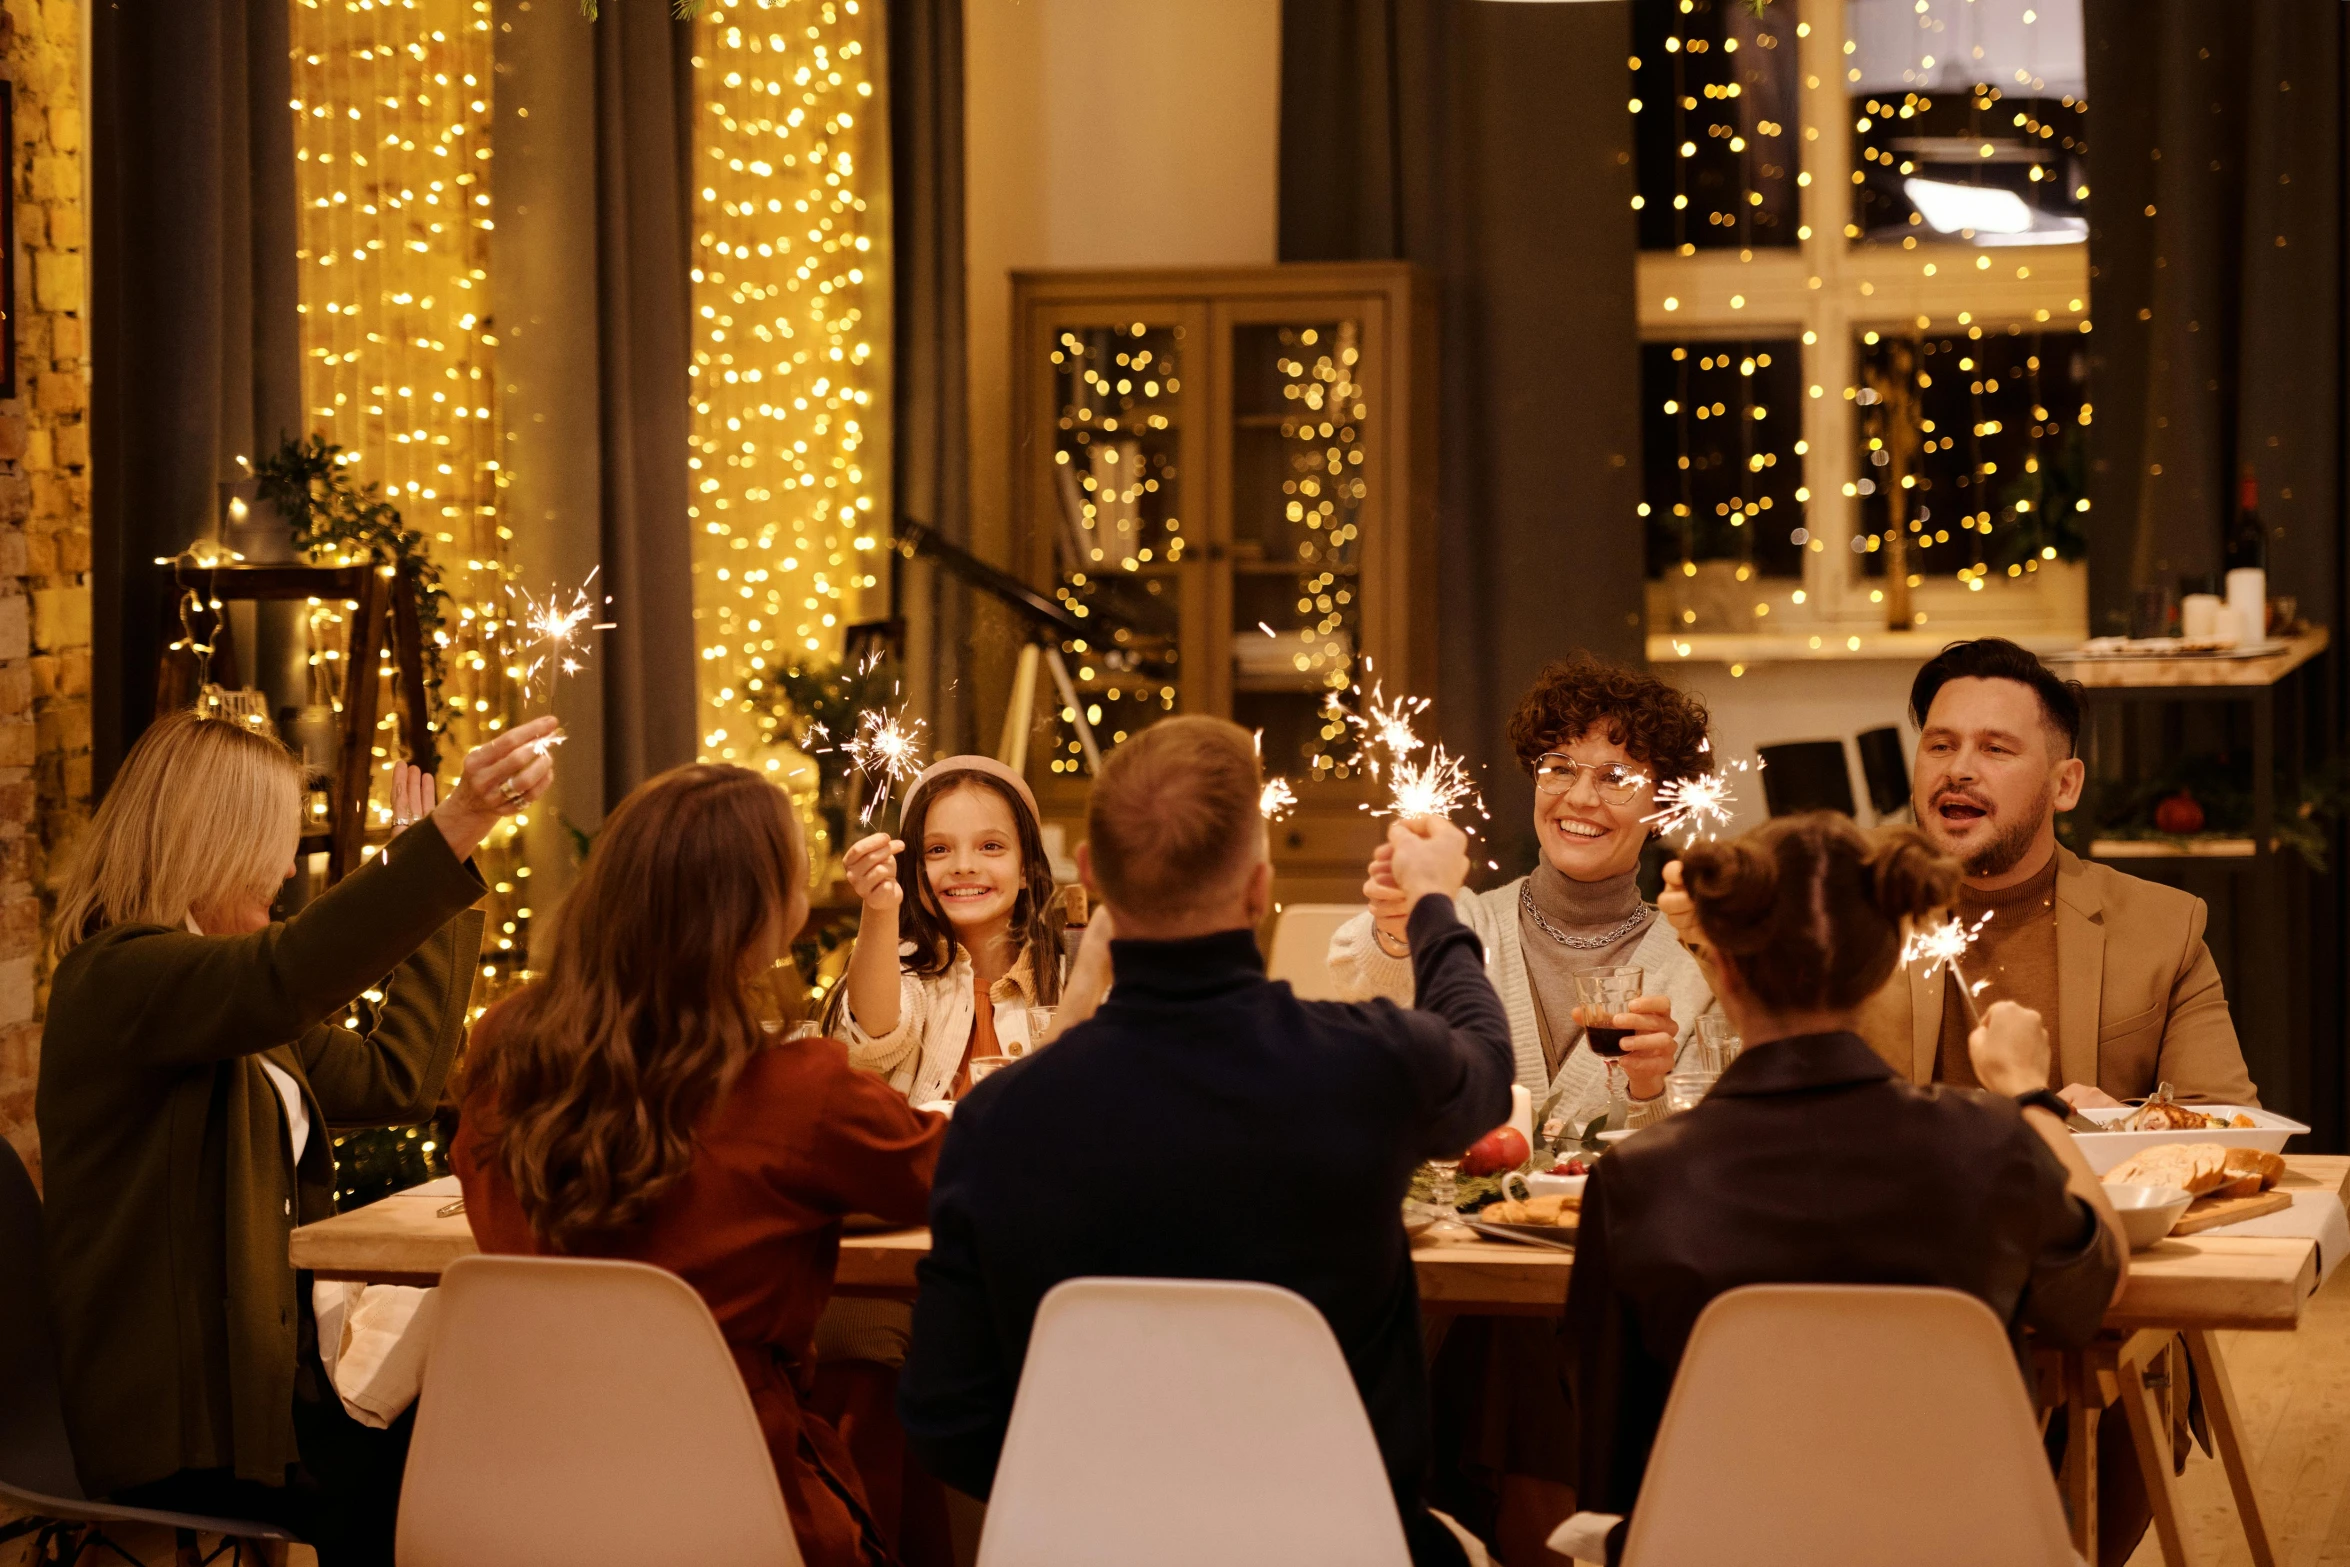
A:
391	163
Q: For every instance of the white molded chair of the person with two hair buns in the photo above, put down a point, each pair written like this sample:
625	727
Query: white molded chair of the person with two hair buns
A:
1844	1425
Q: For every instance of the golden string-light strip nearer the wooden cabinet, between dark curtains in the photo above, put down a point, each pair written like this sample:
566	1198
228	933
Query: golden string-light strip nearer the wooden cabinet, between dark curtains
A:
791	358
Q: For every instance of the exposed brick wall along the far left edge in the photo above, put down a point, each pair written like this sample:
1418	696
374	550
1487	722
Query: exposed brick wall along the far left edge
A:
43	532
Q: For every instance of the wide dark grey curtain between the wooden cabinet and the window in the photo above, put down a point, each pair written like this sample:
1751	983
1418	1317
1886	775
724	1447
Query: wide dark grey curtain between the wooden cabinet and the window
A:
1489	144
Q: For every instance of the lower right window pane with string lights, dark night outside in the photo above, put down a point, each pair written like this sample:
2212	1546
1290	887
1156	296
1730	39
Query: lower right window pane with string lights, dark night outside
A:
1973	452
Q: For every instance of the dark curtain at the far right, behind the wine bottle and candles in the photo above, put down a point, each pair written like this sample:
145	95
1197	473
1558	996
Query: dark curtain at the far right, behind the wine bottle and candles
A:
2220	267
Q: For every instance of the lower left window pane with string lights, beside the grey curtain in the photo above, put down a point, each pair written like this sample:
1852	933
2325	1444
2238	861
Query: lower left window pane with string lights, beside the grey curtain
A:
1721	455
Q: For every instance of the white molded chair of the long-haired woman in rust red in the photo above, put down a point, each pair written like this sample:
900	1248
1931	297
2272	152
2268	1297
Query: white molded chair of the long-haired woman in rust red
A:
586	1413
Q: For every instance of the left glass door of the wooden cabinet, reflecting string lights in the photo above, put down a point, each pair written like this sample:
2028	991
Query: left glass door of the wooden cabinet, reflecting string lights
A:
1120	516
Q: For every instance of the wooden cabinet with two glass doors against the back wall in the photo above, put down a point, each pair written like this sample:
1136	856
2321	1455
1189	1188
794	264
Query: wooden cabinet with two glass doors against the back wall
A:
1233	471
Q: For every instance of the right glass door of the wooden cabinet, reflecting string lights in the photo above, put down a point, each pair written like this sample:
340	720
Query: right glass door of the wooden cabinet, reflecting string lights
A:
1301	499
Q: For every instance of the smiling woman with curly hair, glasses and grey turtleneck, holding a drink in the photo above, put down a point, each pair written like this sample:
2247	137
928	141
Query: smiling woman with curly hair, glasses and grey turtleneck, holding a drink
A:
1597	739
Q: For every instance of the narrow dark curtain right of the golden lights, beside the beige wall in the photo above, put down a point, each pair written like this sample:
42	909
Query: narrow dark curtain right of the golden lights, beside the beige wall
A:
932	455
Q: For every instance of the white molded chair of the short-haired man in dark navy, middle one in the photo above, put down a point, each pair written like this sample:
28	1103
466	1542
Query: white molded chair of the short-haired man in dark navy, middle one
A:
1167	1423
